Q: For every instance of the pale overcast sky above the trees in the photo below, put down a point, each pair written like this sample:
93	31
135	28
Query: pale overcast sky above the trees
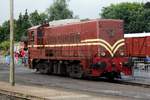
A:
82	8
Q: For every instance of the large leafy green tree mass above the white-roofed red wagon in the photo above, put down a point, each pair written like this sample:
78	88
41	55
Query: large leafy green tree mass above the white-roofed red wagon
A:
135	16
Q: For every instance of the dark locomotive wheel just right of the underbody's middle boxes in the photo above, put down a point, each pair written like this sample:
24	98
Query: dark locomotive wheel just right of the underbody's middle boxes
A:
76	71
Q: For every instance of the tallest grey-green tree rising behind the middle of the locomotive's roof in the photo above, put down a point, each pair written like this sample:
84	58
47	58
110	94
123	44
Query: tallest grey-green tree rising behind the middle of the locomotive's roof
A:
59	10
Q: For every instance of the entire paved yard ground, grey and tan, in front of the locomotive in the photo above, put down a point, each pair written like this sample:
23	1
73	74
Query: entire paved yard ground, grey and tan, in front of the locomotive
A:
53	87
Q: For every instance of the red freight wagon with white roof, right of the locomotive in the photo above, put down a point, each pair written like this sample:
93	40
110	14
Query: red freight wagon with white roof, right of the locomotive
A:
137	44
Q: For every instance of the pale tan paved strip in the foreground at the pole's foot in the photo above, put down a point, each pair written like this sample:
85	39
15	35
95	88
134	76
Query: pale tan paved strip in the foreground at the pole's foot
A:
31	92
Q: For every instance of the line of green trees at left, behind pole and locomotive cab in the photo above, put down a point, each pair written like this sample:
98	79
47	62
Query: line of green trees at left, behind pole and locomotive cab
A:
59	10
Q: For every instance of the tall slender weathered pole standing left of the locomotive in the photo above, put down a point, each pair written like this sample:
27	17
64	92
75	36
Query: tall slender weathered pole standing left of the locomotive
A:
12	67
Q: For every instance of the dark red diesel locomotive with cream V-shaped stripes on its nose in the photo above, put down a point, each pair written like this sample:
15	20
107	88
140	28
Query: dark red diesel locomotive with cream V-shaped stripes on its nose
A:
87	48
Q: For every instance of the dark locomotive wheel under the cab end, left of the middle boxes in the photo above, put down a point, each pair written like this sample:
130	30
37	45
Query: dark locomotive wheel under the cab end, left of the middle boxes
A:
43	68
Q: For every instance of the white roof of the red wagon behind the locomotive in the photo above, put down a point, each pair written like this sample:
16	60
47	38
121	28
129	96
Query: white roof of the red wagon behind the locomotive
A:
130	35
